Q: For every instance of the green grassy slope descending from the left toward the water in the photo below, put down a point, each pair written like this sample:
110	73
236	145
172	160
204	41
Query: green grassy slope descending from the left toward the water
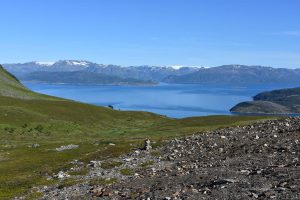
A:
27	118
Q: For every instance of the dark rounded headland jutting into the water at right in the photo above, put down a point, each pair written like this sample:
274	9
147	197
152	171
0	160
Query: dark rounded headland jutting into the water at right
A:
285	101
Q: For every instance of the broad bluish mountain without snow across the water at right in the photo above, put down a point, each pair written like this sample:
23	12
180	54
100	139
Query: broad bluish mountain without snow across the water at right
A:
238	75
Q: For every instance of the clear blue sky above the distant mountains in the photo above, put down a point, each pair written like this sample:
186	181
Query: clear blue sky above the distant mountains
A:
152	32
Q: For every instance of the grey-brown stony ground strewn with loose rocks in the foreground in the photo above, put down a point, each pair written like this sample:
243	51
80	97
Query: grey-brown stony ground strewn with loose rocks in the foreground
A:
259	161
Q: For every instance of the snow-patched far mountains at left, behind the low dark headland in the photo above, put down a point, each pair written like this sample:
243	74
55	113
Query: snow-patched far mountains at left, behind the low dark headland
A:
152	73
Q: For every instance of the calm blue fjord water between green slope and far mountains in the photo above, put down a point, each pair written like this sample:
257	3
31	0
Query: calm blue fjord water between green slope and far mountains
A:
176	101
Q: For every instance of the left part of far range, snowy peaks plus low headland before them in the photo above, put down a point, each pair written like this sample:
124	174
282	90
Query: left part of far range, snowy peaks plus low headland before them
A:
110	74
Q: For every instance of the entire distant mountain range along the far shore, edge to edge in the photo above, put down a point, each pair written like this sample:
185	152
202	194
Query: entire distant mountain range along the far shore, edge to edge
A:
84	72
